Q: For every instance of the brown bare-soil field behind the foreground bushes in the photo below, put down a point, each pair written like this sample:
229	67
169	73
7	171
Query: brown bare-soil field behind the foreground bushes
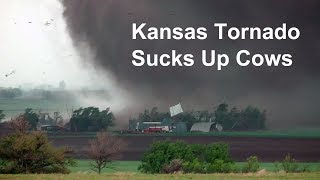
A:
267	149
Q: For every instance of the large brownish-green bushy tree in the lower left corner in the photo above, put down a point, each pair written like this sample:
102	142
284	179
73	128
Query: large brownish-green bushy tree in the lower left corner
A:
31	152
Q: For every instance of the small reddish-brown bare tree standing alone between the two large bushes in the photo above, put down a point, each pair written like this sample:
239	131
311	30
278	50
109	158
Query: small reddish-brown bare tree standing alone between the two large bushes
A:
104	149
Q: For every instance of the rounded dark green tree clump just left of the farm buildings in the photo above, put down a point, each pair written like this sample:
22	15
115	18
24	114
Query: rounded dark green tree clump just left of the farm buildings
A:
91	119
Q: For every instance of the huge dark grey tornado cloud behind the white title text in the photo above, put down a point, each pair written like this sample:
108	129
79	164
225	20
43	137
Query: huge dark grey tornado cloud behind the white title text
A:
105	25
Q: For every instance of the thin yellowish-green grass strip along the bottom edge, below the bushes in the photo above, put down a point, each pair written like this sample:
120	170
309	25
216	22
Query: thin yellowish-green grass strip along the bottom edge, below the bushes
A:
133	176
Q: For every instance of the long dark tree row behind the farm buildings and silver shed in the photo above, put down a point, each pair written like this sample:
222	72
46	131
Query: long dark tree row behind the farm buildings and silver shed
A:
249	118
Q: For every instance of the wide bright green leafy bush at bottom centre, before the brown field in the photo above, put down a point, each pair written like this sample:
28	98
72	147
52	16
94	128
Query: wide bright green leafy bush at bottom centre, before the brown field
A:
196	158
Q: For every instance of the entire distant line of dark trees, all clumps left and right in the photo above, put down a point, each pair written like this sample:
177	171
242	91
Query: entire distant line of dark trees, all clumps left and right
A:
94	119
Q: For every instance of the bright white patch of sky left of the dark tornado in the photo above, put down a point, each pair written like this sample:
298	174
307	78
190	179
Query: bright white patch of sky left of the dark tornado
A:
38	53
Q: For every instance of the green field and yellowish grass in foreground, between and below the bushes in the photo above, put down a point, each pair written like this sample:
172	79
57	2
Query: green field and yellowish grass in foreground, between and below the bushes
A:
128	170
